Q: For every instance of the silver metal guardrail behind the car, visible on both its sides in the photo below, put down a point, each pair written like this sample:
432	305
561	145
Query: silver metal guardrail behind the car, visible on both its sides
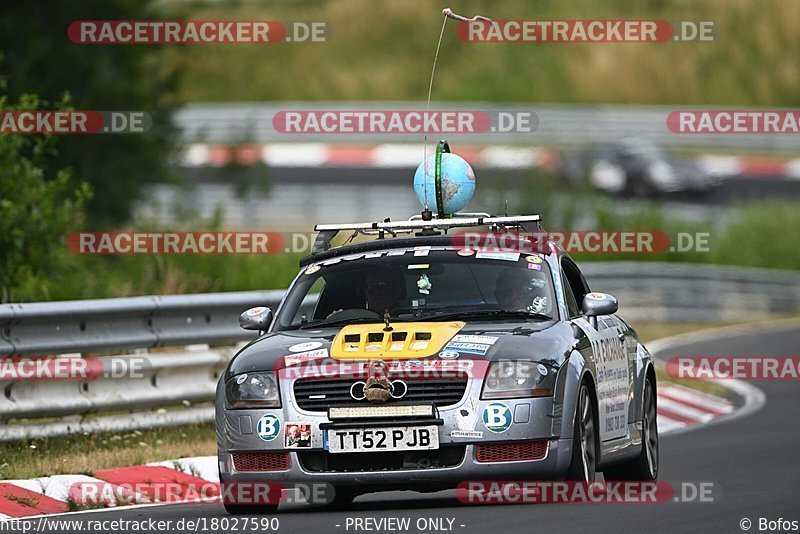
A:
176	387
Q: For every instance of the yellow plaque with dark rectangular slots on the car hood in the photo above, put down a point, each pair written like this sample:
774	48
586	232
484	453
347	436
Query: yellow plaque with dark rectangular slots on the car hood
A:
404	341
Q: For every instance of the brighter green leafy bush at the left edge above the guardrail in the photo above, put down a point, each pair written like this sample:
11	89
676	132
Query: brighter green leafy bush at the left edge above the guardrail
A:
36	213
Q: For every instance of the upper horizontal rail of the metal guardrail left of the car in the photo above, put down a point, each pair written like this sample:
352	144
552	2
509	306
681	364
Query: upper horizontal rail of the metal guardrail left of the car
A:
44	328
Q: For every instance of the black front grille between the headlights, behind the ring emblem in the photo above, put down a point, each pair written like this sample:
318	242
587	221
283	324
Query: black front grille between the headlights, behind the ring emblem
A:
317	395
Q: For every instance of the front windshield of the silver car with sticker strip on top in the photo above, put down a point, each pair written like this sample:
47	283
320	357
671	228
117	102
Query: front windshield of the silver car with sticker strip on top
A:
419	284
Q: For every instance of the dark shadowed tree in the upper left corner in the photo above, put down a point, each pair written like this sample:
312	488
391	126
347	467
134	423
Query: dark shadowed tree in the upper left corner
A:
39	58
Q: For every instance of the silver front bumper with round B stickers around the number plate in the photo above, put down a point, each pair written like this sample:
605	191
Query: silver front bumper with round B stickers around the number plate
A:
533	419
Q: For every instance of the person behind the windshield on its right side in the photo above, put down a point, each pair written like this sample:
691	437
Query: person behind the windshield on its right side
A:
520	289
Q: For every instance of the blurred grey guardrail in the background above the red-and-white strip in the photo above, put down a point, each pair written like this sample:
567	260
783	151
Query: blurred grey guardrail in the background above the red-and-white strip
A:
558	125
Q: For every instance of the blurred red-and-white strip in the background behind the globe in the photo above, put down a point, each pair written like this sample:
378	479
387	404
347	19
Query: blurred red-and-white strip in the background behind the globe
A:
397	155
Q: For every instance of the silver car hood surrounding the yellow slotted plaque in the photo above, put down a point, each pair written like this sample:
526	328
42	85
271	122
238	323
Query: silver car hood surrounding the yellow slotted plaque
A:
545	342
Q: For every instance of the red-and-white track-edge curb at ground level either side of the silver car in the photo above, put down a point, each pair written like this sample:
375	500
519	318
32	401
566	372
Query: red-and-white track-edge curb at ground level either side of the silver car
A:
678	409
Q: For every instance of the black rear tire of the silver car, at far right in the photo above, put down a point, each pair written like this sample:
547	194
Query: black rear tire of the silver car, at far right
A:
645	466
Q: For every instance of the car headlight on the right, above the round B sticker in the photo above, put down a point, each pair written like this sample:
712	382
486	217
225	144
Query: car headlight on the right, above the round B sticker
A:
507	379
